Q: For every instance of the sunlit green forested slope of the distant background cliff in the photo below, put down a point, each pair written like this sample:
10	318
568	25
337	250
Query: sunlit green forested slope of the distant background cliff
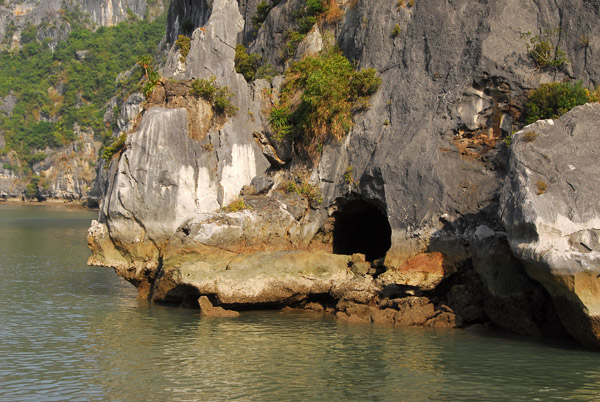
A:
70	84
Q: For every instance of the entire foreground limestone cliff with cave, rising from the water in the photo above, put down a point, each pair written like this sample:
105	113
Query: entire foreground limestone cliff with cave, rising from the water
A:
430	212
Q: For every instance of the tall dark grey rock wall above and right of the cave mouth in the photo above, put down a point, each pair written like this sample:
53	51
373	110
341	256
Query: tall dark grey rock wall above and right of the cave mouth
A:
440	75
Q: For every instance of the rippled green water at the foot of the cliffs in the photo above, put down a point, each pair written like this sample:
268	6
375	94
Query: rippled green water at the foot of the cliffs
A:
72	332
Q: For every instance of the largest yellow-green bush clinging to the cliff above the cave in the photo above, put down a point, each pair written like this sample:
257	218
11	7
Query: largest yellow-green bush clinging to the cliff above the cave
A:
318	97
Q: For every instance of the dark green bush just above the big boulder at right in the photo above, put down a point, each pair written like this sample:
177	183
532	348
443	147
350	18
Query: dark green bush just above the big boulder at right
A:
552	100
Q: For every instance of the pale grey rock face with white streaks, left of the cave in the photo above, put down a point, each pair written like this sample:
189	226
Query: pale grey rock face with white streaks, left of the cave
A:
174	176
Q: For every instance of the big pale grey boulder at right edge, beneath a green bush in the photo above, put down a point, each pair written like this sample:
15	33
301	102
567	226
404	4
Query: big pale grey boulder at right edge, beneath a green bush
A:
552	216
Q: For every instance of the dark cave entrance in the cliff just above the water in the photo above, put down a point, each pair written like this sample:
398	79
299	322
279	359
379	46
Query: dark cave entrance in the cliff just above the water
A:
361	228
